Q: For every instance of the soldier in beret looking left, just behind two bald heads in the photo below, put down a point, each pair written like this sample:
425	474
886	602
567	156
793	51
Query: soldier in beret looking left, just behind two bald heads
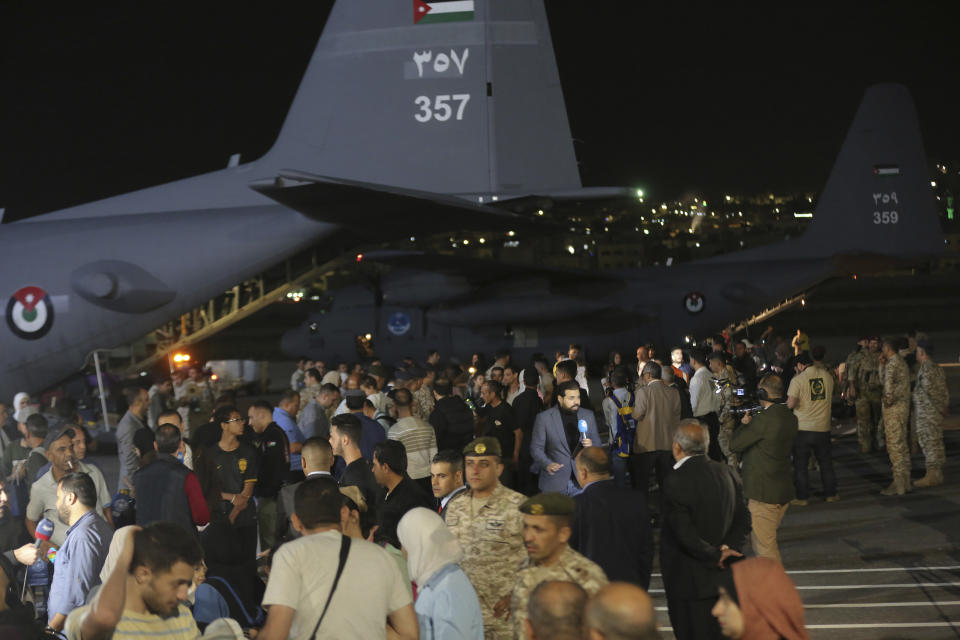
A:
547	523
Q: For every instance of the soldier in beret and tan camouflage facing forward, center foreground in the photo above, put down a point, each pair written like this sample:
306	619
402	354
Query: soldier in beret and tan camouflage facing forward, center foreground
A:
487	522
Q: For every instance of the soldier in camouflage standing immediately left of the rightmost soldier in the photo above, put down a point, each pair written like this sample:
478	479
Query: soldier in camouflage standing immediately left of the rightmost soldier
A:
896	408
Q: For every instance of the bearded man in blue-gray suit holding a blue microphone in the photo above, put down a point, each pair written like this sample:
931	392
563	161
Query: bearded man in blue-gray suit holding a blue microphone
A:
556	439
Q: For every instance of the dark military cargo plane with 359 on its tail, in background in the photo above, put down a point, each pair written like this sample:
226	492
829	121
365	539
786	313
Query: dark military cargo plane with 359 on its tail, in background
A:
876	207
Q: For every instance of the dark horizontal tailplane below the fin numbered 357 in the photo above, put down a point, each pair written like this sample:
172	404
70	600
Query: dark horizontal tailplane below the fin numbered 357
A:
387	210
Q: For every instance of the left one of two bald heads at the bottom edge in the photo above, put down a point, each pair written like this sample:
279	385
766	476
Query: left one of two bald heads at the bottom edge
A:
555	611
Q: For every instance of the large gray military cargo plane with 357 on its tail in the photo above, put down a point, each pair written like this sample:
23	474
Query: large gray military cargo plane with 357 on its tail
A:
410	115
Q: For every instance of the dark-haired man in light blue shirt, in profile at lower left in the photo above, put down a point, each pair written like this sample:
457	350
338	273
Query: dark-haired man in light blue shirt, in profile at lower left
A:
81	557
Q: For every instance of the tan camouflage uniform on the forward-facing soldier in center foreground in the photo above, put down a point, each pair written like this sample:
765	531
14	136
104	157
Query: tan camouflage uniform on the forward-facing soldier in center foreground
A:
490	530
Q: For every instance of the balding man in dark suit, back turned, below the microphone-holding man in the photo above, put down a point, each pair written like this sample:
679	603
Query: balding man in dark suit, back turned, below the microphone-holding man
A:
612	526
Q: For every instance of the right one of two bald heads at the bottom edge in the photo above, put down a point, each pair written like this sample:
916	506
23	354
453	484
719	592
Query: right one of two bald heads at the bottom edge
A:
620	611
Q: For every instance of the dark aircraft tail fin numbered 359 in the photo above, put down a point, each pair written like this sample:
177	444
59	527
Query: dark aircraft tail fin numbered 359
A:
878	197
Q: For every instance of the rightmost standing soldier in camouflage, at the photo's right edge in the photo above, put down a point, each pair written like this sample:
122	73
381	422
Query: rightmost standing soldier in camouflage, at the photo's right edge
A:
930	401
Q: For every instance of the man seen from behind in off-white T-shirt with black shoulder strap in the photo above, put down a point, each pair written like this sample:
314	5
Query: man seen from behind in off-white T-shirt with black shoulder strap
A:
370	590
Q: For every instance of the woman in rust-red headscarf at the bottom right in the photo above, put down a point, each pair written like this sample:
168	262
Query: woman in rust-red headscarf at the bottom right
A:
759	602
